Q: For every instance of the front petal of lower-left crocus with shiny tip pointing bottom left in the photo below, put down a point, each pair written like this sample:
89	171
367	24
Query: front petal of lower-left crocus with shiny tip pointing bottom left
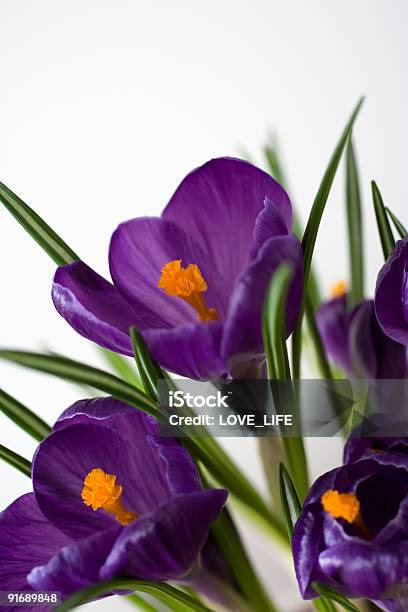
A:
75	566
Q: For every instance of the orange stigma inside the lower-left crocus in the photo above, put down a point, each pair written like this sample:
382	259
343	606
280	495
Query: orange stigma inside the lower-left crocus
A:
101	491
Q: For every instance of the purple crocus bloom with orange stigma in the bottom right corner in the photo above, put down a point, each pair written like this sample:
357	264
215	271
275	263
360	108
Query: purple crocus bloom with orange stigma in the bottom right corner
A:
352	533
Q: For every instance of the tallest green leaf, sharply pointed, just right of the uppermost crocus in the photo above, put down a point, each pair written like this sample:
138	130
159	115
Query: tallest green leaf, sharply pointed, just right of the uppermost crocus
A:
312	228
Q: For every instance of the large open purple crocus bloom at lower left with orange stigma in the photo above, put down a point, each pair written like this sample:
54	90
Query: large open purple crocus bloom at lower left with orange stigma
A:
110	499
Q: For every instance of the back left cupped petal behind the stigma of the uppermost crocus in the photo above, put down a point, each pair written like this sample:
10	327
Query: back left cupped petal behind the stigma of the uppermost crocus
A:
138	251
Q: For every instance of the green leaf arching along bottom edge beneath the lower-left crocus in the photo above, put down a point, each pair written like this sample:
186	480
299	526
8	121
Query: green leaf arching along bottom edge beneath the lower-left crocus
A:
175	598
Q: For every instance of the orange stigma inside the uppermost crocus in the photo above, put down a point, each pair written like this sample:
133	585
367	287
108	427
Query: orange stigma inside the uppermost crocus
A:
189	285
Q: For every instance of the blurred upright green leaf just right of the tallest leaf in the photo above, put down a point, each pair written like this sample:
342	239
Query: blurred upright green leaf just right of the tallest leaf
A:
355	227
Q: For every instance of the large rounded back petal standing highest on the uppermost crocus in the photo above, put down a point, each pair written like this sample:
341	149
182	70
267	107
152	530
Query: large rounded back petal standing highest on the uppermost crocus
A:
218	203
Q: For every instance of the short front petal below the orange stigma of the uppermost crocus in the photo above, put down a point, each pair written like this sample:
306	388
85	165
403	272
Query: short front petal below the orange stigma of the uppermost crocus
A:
191	350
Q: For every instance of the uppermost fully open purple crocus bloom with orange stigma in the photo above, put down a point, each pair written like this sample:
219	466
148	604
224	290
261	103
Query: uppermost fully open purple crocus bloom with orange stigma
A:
192	281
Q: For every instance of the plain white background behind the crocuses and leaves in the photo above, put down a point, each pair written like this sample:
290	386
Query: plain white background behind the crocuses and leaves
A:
105	106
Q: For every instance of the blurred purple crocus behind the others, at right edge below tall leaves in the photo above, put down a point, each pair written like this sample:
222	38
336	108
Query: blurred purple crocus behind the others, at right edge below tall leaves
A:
355	341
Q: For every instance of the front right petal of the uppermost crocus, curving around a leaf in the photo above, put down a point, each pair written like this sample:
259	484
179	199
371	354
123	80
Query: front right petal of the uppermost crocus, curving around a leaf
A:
242	335
